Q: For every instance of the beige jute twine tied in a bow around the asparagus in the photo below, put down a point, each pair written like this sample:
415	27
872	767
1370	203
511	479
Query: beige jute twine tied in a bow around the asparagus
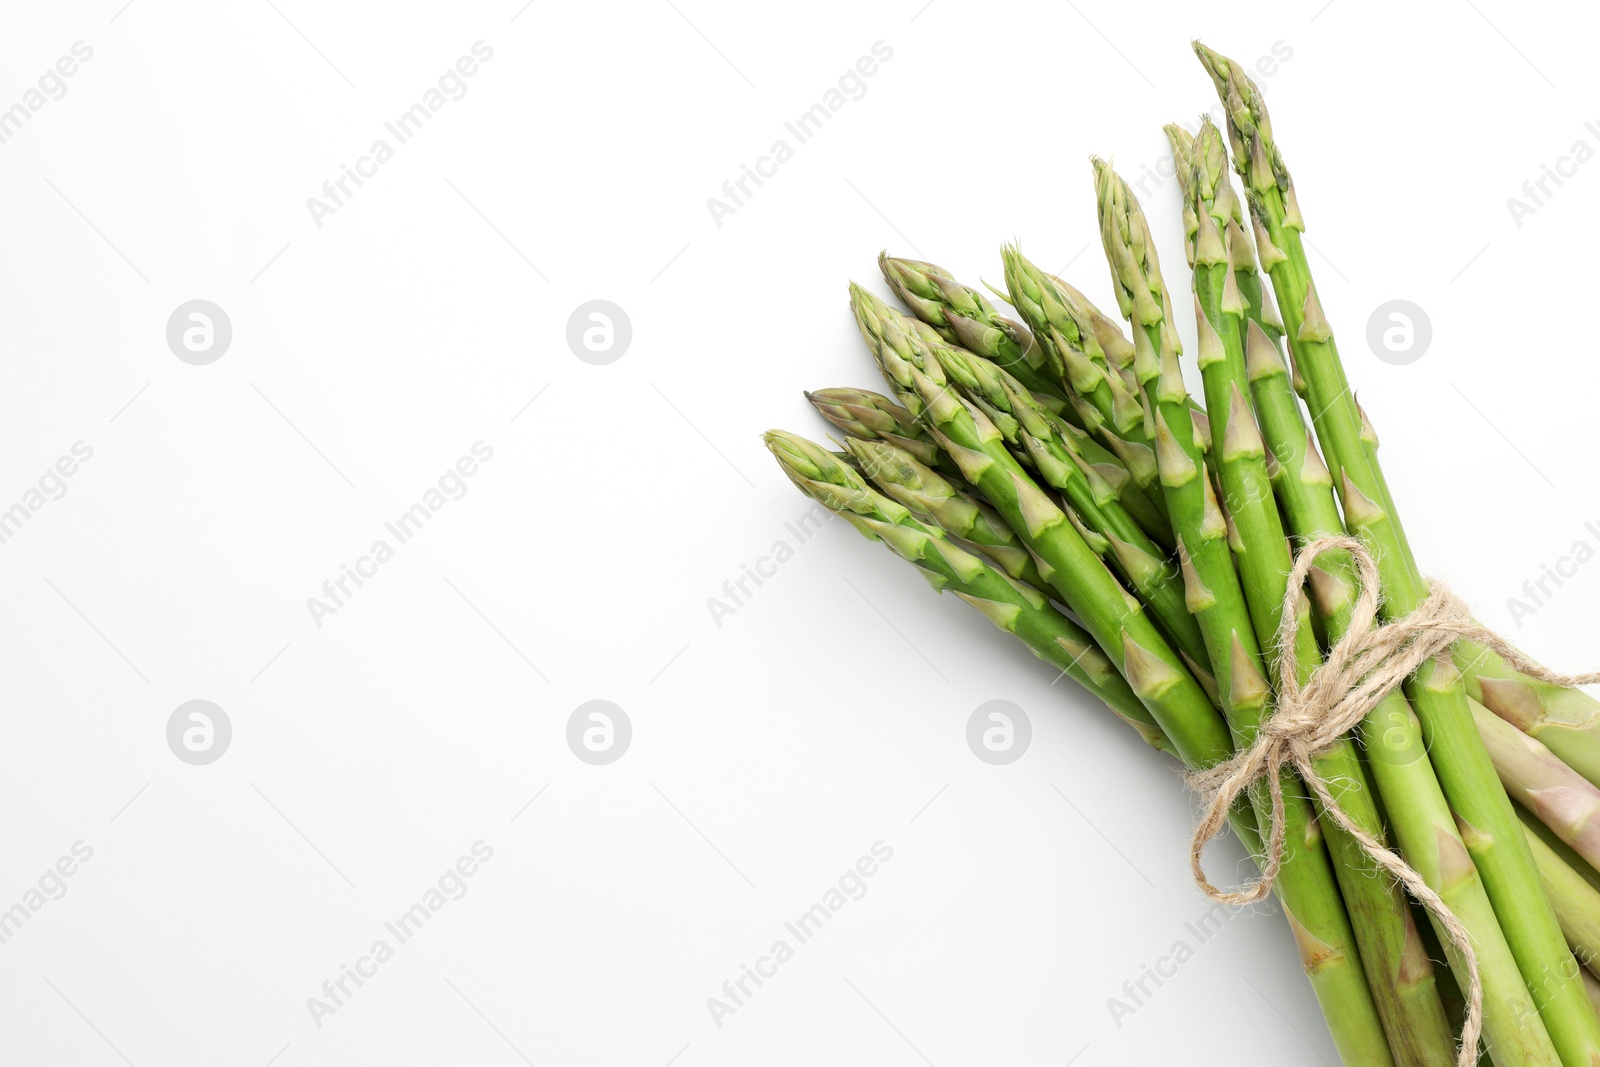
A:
1361	669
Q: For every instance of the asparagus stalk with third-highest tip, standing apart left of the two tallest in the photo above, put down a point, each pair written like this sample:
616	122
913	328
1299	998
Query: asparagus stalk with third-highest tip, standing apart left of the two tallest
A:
1310	890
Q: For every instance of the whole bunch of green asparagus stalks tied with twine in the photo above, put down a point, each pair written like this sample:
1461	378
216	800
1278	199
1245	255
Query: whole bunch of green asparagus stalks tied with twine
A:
1058	478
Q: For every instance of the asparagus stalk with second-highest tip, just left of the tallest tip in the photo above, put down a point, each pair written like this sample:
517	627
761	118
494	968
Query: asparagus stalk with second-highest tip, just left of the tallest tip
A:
1398	970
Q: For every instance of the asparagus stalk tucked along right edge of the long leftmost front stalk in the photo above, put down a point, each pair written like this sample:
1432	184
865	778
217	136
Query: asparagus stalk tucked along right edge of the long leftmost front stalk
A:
1095	505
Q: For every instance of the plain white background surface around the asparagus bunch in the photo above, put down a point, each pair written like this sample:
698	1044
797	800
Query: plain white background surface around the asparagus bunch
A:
828	713
